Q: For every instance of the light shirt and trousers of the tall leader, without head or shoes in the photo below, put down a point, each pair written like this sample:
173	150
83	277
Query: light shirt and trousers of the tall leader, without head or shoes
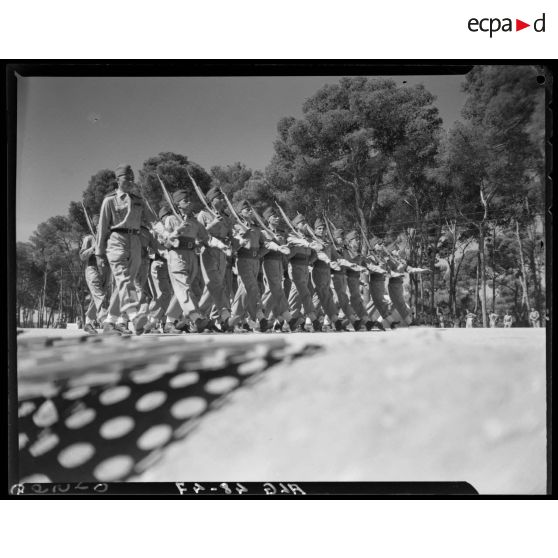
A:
120	220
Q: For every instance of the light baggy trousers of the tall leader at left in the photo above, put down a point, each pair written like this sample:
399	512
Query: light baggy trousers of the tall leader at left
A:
124	256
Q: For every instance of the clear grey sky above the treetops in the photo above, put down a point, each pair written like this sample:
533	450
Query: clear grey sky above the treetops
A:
70	128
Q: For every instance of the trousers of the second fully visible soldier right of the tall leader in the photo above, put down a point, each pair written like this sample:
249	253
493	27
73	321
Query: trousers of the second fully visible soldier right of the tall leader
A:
214	269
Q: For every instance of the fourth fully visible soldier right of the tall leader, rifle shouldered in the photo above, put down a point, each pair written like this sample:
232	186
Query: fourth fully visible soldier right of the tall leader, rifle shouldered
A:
274	301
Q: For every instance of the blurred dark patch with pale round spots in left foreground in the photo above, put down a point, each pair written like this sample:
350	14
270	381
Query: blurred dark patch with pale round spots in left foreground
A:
92	423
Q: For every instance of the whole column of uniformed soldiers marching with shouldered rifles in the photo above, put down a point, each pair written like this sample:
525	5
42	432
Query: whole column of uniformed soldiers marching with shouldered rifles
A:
179	267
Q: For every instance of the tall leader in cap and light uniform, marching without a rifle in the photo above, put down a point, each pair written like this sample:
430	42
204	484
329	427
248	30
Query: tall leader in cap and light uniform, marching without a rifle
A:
118	243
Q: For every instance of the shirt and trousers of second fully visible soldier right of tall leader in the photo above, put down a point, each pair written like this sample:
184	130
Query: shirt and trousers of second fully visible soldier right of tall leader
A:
214	264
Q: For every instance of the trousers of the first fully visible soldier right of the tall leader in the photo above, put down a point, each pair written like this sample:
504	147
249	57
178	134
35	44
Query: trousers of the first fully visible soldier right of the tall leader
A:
183	269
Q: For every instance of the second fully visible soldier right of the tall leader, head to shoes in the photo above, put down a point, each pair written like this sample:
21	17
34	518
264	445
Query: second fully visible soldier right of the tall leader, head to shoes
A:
214	260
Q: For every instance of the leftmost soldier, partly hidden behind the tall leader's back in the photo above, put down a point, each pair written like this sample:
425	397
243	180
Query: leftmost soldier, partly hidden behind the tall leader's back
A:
97	281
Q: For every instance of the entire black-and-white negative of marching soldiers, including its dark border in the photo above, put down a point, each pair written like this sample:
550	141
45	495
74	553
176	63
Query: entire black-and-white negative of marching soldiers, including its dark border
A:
263	282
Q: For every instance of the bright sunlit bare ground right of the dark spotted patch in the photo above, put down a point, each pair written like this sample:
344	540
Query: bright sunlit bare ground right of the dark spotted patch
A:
416	404
